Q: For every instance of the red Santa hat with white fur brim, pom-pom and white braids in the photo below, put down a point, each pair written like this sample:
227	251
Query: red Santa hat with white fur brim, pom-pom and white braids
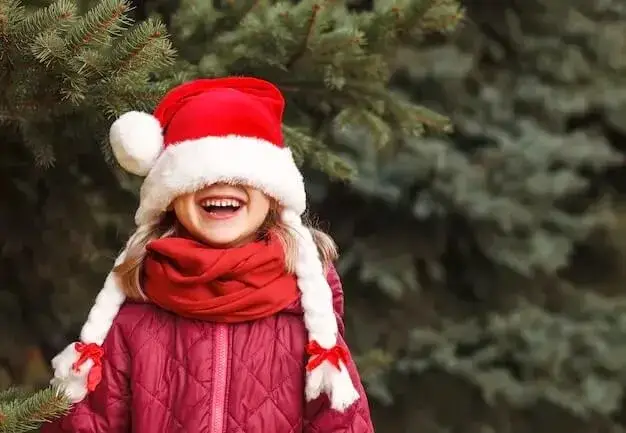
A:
204	132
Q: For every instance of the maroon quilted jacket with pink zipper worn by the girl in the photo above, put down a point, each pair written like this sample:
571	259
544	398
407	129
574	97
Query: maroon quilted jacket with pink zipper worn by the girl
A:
164	373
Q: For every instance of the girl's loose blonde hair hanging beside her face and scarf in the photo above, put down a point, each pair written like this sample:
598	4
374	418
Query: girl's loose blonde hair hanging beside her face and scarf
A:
128	272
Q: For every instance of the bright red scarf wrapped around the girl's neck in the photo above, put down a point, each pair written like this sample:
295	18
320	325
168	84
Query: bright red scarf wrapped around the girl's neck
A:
222	285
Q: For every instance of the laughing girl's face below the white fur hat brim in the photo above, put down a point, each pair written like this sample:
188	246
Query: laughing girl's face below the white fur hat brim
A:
223	215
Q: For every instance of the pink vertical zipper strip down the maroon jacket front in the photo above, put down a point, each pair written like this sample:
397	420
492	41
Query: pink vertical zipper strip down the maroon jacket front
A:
220	371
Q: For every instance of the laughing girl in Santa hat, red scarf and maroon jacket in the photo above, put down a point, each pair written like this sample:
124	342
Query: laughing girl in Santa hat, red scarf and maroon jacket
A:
223	314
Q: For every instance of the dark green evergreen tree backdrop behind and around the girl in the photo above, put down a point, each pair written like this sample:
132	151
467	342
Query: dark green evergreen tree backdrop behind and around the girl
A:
467	157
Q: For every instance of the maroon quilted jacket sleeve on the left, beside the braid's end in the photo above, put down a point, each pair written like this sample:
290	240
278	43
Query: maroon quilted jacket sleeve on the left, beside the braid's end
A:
107	408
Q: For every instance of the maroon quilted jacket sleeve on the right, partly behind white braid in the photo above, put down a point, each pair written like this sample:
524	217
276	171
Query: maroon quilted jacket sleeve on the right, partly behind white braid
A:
319	417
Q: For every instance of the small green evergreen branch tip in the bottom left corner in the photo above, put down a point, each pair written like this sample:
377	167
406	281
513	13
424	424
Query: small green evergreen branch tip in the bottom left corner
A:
27	414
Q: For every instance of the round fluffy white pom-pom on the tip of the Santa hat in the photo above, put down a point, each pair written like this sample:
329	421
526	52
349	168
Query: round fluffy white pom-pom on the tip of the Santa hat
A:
136	140
